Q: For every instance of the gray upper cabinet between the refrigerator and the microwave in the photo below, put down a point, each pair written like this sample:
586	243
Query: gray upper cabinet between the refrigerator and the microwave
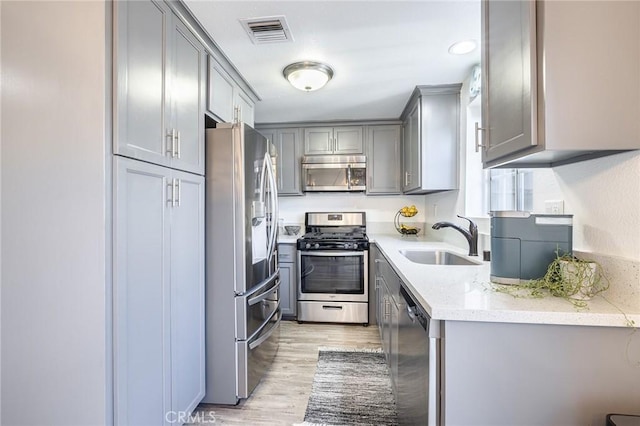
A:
288	147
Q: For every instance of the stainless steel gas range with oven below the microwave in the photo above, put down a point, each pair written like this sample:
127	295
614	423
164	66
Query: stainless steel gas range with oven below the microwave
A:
333	258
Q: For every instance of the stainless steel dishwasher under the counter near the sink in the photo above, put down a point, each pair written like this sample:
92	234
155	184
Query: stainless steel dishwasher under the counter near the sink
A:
418	387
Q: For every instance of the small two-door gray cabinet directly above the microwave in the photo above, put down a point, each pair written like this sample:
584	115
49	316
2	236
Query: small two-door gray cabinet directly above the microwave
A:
333	140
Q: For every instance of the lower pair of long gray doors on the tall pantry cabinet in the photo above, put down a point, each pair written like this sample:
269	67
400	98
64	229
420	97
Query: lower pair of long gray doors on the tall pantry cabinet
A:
159	350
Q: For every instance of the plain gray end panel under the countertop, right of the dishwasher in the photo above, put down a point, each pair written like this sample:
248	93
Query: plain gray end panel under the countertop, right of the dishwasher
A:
503	373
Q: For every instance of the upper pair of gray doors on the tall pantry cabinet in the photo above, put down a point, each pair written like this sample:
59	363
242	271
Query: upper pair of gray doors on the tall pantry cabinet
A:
159	87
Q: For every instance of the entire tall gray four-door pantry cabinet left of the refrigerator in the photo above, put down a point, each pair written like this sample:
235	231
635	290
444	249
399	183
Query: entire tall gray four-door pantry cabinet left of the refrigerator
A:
159	350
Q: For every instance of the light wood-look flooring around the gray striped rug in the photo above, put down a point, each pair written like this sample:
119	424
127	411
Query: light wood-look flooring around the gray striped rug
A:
282	395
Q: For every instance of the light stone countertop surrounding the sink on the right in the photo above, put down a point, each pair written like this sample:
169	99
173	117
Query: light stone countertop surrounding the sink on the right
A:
464	293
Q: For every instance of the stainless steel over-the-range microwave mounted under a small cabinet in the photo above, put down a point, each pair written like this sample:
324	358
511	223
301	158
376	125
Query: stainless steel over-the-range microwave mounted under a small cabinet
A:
334	173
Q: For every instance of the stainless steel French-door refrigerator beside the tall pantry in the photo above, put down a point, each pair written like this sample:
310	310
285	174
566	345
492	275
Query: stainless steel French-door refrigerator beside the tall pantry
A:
242	276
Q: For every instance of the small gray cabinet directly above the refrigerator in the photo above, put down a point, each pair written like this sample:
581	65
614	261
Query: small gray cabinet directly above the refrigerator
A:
225	100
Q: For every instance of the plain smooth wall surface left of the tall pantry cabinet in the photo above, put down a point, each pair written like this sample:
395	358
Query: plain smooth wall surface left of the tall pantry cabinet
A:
53	213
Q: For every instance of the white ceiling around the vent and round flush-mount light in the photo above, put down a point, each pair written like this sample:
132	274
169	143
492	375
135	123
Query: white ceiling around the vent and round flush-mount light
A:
379	51
